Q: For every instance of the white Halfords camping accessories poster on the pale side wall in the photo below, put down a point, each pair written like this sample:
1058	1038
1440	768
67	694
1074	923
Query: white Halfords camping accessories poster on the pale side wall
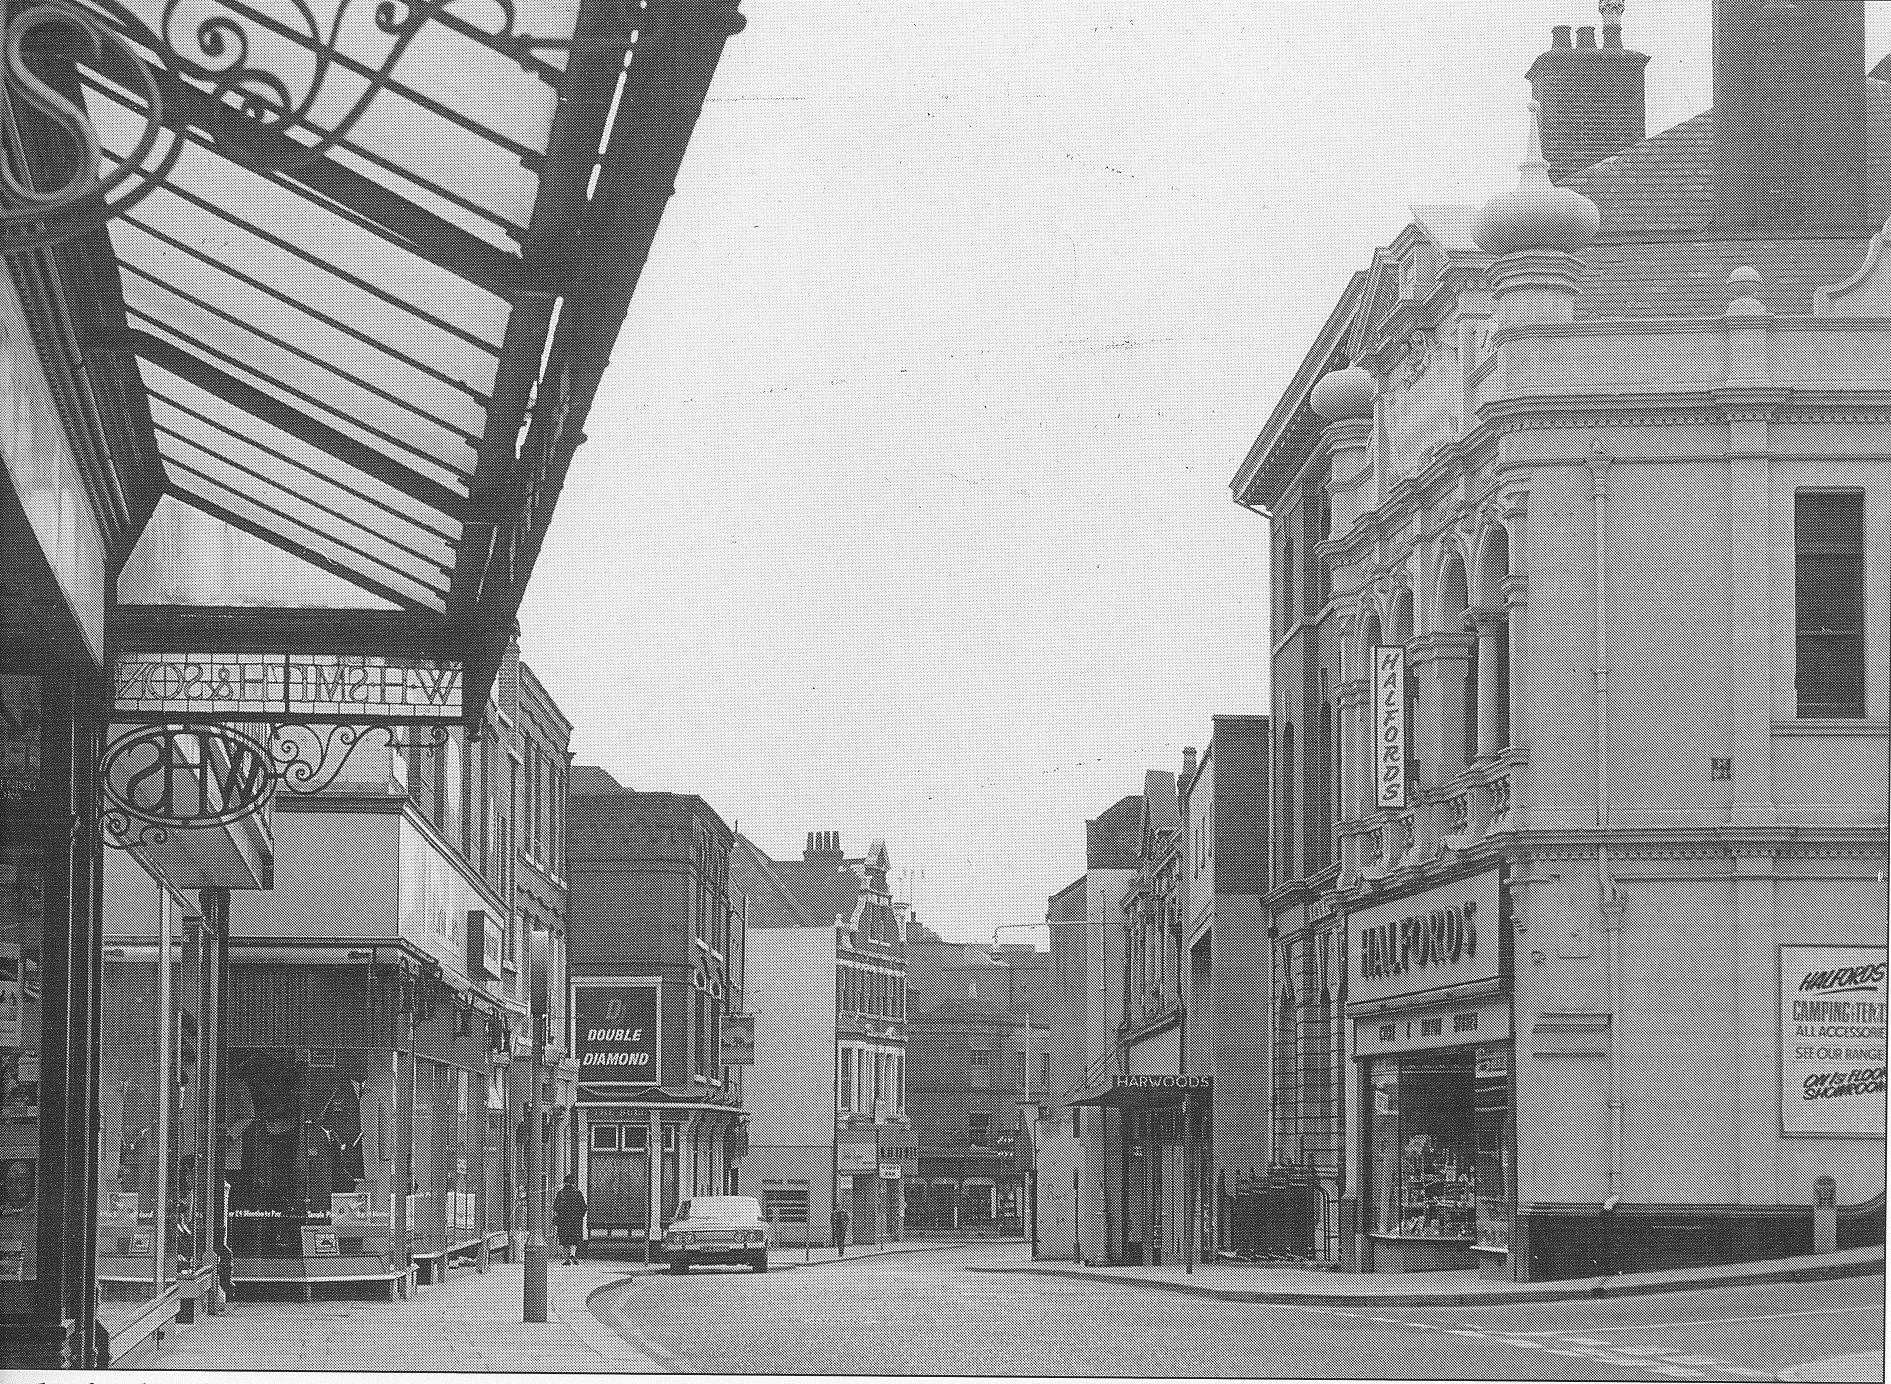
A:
1833	1041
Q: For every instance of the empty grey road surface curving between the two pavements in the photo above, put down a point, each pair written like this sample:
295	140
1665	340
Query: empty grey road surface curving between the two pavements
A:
929	1315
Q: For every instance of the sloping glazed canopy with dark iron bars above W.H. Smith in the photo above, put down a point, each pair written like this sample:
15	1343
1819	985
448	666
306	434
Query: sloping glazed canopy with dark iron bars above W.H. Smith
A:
358	324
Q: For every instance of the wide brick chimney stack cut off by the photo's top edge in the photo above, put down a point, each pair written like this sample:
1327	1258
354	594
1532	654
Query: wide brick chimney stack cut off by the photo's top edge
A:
1790	147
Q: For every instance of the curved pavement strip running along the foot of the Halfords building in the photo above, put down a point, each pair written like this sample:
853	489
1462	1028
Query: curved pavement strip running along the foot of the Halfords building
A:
1262	1283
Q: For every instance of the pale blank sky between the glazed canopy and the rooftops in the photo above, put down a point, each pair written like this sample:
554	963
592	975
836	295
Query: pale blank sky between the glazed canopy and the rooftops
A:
905	504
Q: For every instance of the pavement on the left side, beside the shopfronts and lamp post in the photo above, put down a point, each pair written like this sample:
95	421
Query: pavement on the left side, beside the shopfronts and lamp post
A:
468	1323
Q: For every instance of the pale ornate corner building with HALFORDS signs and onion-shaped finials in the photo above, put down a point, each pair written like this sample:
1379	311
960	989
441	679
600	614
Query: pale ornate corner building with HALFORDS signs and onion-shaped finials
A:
1603	468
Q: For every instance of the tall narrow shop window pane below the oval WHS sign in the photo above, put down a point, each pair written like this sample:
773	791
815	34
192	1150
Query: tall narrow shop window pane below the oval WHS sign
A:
135	1111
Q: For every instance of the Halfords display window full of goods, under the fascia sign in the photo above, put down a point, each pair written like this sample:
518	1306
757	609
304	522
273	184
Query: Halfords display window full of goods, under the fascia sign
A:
1440	1147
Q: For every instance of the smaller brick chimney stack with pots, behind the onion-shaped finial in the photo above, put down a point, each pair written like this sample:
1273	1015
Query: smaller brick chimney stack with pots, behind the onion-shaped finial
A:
1591	99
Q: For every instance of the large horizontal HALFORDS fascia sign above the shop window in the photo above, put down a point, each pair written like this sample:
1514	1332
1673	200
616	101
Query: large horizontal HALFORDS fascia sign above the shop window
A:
1444	937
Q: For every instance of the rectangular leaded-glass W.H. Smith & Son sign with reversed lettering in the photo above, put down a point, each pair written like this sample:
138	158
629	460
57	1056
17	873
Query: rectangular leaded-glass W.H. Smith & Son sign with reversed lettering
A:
285	687
